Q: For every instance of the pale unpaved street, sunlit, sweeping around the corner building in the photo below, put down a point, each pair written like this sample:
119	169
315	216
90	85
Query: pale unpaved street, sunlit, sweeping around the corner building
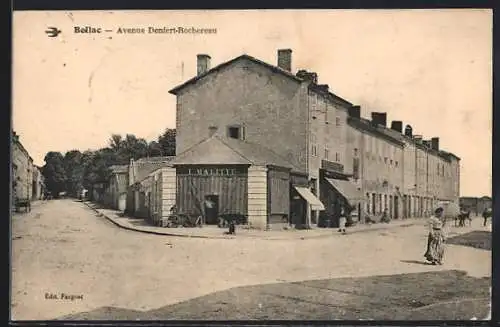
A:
67	260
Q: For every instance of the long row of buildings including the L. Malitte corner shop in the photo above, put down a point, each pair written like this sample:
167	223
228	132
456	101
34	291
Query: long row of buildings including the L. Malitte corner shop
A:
282	149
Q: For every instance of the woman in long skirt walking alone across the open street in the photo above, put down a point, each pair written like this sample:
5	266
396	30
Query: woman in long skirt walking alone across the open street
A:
436	238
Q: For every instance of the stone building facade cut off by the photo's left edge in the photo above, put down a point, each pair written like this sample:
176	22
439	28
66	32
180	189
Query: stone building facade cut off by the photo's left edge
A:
22	171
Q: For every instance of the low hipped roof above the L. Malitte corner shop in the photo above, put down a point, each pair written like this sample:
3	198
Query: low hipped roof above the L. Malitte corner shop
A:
218	150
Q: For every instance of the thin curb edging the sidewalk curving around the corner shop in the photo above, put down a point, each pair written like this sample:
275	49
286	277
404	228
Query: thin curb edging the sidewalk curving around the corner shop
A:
88	204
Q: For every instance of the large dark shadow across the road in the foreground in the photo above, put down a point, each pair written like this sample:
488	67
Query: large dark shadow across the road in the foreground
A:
436	295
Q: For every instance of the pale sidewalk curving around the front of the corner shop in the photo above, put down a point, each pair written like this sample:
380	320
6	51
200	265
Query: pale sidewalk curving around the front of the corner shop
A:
140	225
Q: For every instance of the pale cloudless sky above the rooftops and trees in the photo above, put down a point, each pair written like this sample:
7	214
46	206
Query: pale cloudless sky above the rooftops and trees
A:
431	69
